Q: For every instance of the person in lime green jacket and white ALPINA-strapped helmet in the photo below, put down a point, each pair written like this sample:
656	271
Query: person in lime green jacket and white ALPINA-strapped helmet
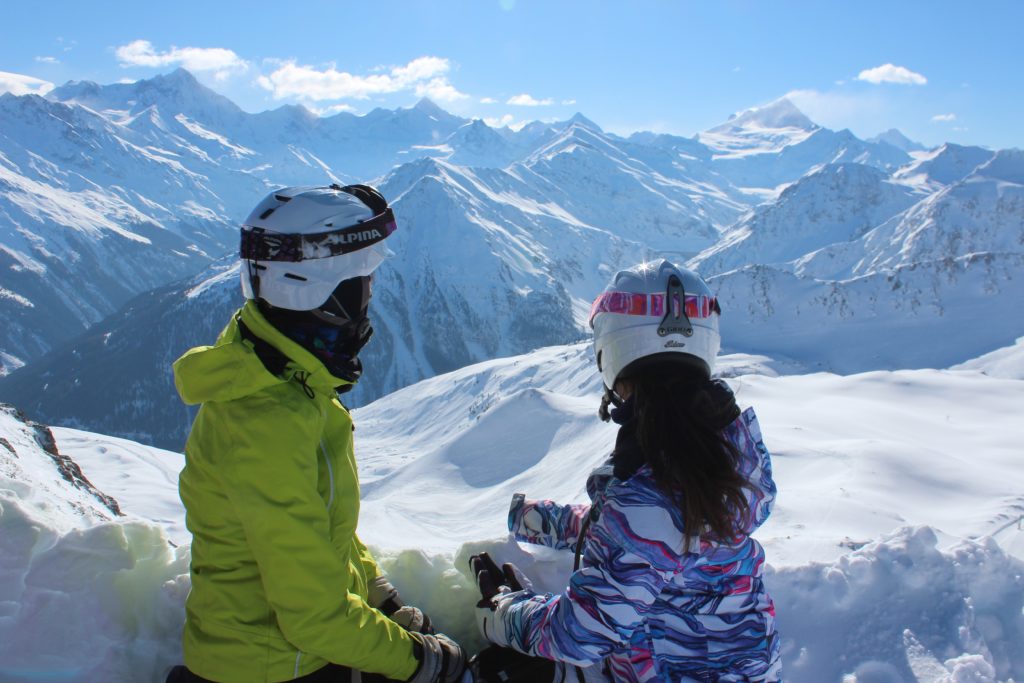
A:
282	587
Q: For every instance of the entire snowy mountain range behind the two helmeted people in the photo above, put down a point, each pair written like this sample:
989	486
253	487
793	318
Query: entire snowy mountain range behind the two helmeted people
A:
829	251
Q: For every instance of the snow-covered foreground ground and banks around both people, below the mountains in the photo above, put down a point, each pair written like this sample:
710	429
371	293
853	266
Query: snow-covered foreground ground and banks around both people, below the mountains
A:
895	551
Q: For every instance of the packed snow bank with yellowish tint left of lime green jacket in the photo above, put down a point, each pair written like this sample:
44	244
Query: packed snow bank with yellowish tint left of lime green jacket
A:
99	604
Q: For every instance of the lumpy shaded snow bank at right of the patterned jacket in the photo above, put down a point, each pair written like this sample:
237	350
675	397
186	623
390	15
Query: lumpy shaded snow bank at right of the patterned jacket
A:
904	610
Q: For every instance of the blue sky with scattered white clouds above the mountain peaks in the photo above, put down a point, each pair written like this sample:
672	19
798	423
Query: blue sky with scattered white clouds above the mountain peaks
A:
938	71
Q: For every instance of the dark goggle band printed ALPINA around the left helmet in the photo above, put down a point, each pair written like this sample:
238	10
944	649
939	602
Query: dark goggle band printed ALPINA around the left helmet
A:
262	245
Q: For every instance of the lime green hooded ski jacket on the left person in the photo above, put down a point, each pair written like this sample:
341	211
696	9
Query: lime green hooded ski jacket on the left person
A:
279	576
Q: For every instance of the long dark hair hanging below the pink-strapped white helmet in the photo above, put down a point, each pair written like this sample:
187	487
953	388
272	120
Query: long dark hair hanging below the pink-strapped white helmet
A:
680	417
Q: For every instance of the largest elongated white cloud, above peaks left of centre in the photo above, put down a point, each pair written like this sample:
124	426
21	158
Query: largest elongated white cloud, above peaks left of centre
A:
425	76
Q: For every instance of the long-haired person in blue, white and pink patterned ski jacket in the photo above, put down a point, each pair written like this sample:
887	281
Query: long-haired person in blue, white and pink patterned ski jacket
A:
670	587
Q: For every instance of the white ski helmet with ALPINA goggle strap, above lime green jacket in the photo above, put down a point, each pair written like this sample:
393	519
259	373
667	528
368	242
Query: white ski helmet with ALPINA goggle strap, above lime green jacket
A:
300	243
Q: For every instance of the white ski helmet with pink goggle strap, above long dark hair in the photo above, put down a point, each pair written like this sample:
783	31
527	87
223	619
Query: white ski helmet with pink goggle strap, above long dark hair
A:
659	312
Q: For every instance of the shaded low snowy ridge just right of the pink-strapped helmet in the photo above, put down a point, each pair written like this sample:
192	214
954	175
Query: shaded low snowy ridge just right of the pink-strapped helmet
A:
932	315
